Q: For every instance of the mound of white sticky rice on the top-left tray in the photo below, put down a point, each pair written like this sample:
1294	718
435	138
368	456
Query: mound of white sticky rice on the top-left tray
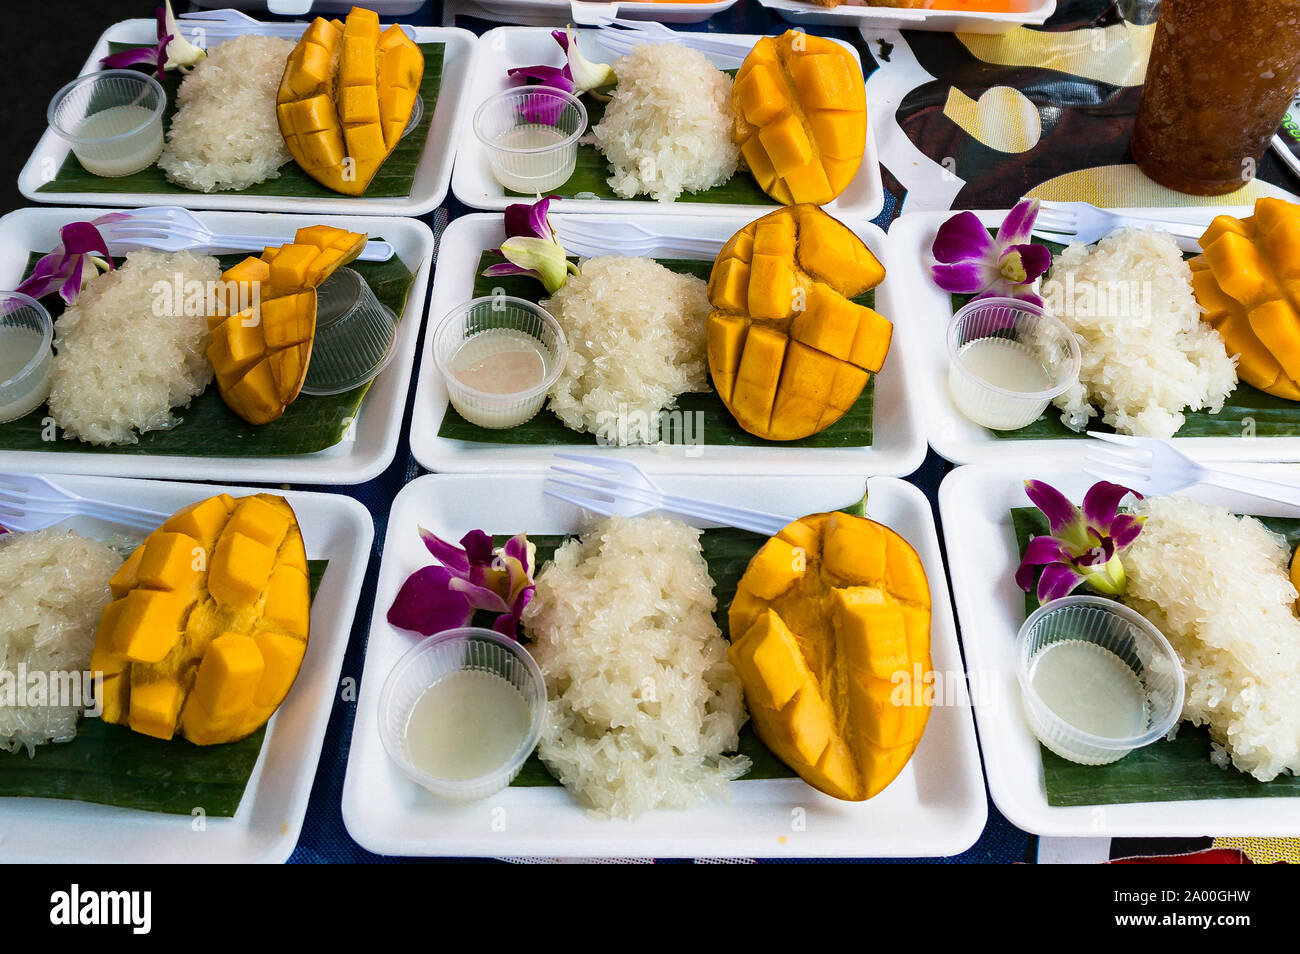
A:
224	135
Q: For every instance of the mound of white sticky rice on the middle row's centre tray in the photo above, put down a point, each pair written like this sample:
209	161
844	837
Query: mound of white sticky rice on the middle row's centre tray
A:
636	336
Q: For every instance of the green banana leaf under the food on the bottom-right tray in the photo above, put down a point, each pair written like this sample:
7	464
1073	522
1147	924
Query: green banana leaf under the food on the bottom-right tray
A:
1168	771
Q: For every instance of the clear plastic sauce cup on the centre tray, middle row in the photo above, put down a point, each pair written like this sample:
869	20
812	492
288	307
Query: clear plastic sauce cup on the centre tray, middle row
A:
487	324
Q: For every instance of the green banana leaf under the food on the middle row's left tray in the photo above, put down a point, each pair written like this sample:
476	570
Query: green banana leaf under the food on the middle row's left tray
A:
207	427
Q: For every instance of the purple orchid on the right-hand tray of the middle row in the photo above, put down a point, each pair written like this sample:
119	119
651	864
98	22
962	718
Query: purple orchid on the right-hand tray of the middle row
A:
969	261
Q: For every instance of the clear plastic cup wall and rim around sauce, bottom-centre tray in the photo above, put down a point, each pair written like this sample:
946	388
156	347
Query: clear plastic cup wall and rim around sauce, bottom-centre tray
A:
461	651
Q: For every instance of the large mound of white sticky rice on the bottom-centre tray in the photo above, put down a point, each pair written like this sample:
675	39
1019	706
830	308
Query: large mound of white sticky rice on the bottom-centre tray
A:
642	699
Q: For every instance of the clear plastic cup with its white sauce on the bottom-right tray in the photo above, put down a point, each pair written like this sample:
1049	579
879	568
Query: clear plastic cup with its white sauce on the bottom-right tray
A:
1098	680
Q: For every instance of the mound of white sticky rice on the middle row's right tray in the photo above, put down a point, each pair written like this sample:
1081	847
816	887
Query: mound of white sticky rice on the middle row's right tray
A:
1147	355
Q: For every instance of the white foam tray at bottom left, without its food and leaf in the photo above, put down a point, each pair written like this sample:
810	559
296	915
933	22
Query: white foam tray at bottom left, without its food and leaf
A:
271	814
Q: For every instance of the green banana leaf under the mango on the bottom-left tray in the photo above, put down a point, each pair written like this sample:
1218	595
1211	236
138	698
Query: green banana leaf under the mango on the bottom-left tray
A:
111	765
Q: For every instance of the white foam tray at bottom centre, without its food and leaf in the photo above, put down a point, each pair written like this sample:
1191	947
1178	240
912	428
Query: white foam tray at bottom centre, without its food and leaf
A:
935	808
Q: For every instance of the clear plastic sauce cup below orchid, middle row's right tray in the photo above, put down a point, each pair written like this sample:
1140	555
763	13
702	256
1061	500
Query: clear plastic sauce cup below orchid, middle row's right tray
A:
1007	361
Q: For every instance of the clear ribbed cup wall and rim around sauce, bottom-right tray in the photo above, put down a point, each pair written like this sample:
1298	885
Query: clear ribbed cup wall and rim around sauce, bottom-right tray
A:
1113	631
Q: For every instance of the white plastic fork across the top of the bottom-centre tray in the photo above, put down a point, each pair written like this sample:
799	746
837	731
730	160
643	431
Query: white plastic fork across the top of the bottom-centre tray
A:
619	488
